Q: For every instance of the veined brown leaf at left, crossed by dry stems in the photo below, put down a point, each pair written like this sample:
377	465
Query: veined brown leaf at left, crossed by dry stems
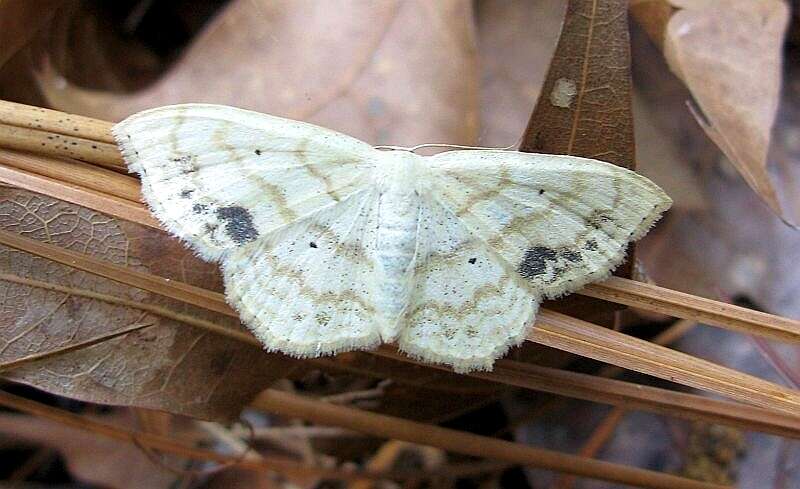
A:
167	366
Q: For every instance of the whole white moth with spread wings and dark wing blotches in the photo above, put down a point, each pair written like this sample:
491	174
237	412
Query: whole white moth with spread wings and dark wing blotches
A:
328	244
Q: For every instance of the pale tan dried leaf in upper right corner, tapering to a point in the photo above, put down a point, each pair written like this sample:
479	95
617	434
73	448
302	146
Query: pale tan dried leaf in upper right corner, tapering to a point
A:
728	52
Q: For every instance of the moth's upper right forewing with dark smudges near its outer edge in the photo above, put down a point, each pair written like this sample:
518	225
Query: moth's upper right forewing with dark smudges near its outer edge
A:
560	221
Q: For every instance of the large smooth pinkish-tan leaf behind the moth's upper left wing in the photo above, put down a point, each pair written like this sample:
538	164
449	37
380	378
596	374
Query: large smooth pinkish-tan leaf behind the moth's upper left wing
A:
386	72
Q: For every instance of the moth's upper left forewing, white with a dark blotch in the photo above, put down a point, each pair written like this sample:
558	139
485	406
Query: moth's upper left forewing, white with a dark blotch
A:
221	177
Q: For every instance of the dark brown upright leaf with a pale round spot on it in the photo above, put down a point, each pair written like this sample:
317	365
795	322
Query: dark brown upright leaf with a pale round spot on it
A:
584	108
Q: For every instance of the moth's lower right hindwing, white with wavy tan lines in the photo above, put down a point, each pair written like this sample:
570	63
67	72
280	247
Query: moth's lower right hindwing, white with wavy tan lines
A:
468	306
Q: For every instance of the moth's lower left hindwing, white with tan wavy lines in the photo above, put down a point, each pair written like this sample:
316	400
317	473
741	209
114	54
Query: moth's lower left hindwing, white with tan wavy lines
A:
309	288
